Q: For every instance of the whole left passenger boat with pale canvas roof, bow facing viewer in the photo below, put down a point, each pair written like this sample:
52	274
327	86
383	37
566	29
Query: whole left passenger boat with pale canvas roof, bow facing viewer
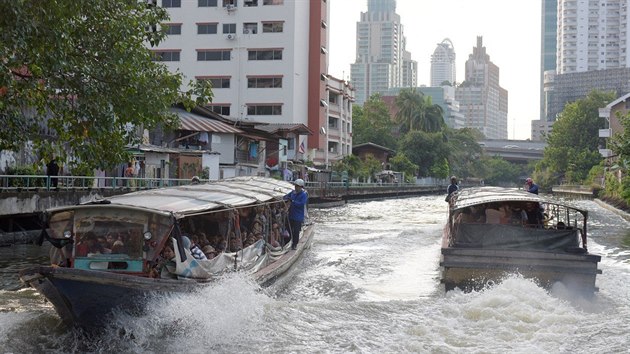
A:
87	281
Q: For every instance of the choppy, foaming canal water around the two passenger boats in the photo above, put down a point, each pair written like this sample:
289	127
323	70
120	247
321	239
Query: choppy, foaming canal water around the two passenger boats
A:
369	284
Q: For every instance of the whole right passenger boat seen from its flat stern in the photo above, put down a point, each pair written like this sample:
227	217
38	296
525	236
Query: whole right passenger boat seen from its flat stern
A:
492	232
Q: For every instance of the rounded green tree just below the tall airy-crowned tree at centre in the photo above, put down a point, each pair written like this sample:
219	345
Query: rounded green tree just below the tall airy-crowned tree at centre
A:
425	150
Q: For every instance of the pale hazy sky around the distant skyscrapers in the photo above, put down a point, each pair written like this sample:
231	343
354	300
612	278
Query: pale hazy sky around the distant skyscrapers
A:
510	31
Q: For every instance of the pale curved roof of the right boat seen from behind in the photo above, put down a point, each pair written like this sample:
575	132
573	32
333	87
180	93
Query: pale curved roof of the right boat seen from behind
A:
483	195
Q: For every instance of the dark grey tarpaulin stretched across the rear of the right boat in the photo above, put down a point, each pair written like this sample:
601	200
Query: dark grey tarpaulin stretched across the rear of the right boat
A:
514	237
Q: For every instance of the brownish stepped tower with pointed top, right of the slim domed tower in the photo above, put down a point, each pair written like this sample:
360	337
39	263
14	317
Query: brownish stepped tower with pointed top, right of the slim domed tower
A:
482	100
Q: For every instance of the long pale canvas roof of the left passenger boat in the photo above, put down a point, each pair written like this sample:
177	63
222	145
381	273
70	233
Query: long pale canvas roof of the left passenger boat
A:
193	199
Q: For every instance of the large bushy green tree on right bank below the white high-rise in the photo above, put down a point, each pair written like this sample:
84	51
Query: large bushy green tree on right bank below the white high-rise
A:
572	148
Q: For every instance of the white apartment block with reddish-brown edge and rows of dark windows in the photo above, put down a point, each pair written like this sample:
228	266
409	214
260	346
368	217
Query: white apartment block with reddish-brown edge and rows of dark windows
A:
266	59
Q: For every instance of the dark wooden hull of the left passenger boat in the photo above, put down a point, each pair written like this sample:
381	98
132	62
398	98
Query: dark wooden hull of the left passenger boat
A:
87	298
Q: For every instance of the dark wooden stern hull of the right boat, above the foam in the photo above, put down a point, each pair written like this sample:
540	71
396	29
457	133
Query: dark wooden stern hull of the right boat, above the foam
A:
472	269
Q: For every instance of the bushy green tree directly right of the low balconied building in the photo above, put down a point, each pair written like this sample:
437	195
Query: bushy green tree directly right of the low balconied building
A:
372	123
